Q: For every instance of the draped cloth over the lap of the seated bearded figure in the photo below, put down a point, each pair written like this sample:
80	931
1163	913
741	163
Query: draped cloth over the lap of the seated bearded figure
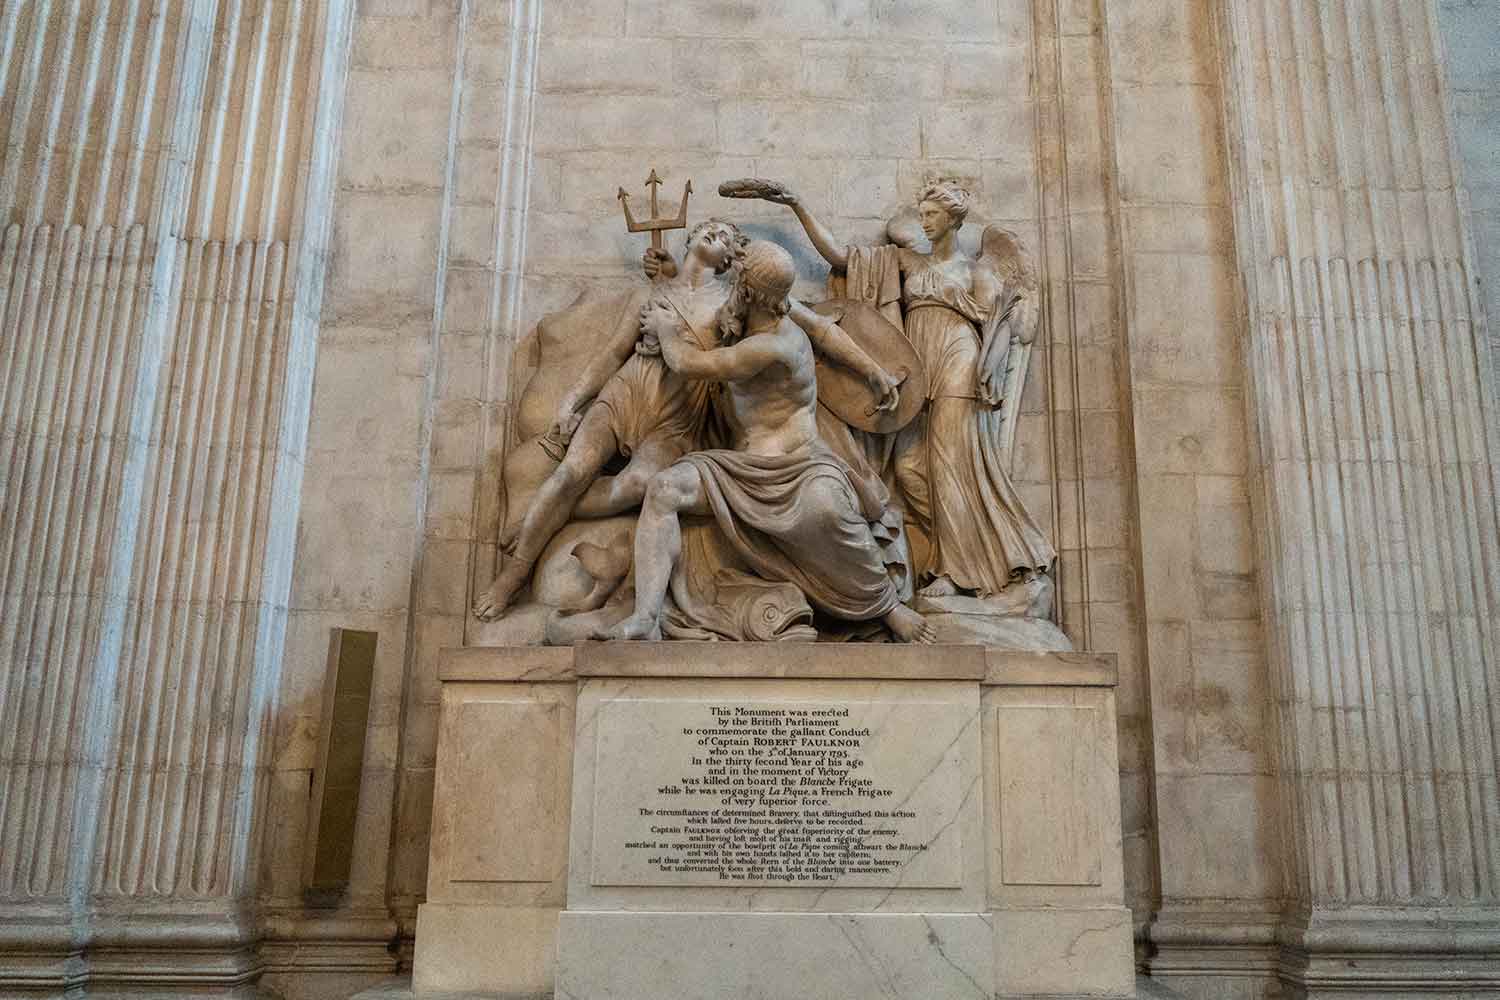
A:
803	519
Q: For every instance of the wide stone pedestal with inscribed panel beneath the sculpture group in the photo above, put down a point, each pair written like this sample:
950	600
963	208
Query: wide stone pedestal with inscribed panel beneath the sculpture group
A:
704	821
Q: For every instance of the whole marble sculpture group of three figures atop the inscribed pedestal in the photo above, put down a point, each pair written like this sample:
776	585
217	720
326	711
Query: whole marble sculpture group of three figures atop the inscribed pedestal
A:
806	499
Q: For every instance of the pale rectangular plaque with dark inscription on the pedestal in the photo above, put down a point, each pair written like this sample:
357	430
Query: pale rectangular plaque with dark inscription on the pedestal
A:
745	792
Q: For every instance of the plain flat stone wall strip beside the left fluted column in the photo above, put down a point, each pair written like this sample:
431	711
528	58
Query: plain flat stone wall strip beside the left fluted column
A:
367	470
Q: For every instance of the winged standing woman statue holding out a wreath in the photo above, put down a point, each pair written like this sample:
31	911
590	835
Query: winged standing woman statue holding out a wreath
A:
973	320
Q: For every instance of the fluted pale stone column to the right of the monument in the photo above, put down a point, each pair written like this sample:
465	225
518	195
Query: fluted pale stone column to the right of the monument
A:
1376	493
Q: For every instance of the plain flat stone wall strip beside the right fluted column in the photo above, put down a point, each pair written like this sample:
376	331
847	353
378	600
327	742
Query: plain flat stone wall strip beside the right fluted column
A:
1216	803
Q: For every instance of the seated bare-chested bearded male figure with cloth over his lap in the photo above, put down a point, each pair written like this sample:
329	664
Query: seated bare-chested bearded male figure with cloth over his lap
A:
784	501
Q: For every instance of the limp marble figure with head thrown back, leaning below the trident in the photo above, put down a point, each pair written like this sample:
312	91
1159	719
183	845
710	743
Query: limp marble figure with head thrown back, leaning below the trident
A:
629	403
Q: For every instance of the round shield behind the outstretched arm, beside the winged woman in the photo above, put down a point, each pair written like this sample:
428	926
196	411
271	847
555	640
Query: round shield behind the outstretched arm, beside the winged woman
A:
847	394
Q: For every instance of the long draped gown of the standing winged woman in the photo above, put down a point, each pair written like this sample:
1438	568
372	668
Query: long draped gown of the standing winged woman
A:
949	463
